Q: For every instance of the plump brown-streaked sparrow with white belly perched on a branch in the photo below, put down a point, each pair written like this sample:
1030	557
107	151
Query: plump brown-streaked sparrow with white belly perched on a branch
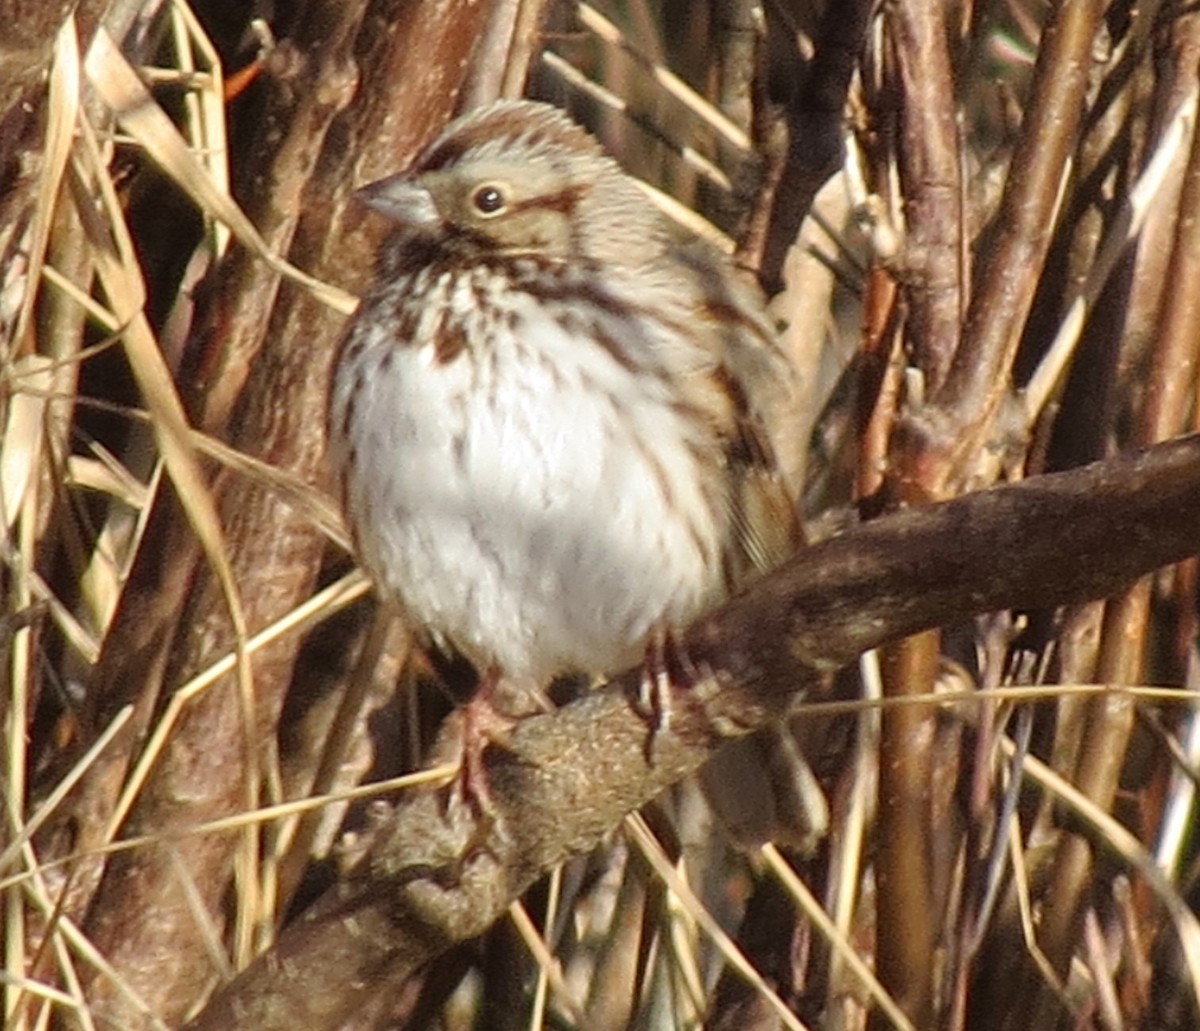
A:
548	415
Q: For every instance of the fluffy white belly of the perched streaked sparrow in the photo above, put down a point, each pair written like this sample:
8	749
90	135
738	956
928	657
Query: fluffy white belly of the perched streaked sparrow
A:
536	503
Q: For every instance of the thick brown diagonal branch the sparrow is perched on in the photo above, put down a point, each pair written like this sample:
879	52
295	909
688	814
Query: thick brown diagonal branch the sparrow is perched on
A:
437	878
